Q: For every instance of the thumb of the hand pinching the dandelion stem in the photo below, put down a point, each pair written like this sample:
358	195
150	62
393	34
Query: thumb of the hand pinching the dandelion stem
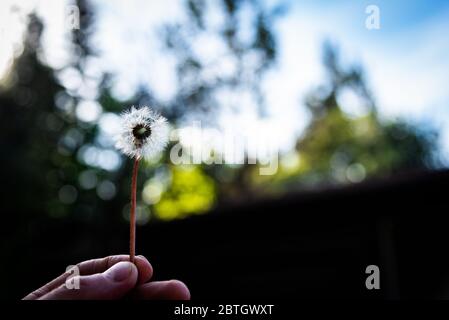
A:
114	283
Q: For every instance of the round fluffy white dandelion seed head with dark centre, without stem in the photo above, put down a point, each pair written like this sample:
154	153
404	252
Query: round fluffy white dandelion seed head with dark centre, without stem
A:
143	133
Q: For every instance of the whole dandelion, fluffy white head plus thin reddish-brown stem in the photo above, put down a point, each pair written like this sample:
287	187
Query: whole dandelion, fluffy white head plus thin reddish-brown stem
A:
143	134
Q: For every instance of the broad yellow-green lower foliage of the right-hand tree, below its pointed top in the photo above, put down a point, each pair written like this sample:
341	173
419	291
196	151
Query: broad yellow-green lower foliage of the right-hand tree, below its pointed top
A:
336	145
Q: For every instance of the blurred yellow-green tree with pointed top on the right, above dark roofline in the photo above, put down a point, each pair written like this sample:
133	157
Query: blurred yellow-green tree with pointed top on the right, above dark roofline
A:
338	147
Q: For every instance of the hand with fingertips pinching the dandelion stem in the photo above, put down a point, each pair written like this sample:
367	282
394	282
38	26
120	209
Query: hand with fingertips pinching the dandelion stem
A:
113	277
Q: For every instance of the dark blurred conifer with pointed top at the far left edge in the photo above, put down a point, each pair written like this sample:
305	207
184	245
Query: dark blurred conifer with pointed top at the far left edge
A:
31	130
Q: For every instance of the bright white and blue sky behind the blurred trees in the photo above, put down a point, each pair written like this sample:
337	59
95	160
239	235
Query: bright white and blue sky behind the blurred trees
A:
406	60
